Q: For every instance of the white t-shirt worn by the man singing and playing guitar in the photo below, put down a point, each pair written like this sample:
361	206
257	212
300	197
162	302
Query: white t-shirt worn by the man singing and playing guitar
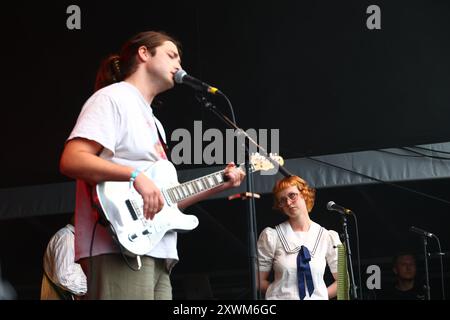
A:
120	119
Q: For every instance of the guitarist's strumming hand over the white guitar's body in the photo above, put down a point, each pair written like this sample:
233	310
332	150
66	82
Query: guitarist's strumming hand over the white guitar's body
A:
153	199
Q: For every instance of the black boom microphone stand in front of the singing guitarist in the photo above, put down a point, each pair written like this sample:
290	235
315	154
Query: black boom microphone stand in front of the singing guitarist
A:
251	209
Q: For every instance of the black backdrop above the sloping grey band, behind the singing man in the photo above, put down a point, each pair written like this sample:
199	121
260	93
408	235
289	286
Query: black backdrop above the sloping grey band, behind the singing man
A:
309	68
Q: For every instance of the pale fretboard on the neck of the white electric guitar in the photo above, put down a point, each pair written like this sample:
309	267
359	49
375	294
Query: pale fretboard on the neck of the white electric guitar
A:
193	187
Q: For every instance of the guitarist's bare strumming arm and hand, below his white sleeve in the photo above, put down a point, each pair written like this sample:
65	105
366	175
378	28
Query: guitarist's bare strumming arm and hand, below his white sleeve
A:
80	160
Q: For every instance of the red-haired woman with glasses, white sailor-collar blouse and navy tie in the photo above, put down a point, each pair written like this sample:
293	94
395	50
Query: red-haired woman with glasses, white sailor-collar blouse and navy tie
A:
298	249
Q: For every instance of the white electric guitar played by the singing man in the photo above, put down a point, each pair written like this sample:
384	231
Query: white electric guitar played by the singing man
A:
122	205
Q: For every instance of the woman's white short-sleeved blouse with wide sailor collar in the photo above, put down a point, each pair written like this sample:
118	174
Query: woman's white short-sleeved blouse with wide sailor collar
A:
278	249
